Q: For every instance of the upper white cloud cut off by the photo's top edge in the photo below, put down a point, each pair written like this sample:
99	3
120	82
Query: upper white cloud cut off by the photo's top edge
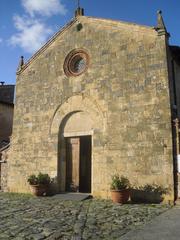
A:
44	7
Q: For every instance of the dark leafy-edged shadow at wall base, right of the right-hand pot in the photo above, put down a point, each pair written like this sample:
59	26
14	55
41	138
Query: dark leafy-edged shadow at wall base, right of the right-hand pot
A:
149	193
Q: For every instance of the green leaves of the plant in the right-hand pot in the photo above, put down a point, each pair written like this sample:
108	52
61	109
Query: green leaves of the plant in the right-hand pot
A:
119	182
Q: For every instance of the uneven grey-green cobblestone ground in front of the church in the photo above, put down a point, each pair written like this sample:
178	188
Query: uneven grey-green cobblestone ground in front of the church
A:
25	217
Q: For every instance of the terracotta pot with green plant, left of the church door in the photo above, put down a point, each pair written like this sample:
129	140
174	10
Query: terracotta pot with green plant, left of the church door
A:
39	183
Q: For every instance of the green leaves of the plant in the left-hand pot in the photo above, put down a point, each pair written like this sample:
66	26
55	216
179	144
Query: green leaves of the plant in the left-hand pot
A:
41	178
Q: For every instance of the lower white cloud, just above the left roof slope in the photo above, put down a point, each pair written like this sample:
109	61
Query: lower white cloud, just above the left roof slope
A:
31	35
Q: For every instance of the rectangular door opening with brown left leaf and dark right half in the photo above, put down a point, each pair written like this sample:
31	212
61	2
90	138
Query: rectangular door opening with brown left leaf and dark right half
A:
78	164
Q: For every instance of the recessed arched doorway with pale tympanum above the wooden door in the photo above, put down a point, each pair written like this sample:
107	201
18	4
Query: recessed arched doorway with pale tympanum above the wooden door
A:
76	133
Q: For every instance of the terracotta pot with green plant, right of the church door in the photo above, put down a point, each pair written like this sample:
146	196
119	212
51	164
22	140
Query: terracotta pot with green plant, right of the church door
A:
120	189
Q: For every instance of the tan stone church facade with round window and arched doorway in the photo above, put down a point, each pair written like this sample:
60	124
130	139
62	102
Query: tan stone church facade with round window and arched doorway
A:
98	98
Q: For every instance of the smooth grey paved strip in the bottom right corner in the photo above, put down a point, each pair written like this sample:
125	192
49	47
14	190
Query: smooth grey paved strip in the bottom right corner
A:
164	227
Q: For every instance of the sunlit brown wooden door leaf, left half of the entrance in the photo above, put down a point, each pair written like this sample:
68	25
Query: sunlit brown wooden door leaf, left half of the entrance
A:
72	164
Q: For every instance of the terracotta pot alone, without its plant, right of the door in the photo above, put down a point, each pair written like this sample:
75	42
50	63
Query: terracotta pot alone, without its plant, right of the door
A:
120	196
